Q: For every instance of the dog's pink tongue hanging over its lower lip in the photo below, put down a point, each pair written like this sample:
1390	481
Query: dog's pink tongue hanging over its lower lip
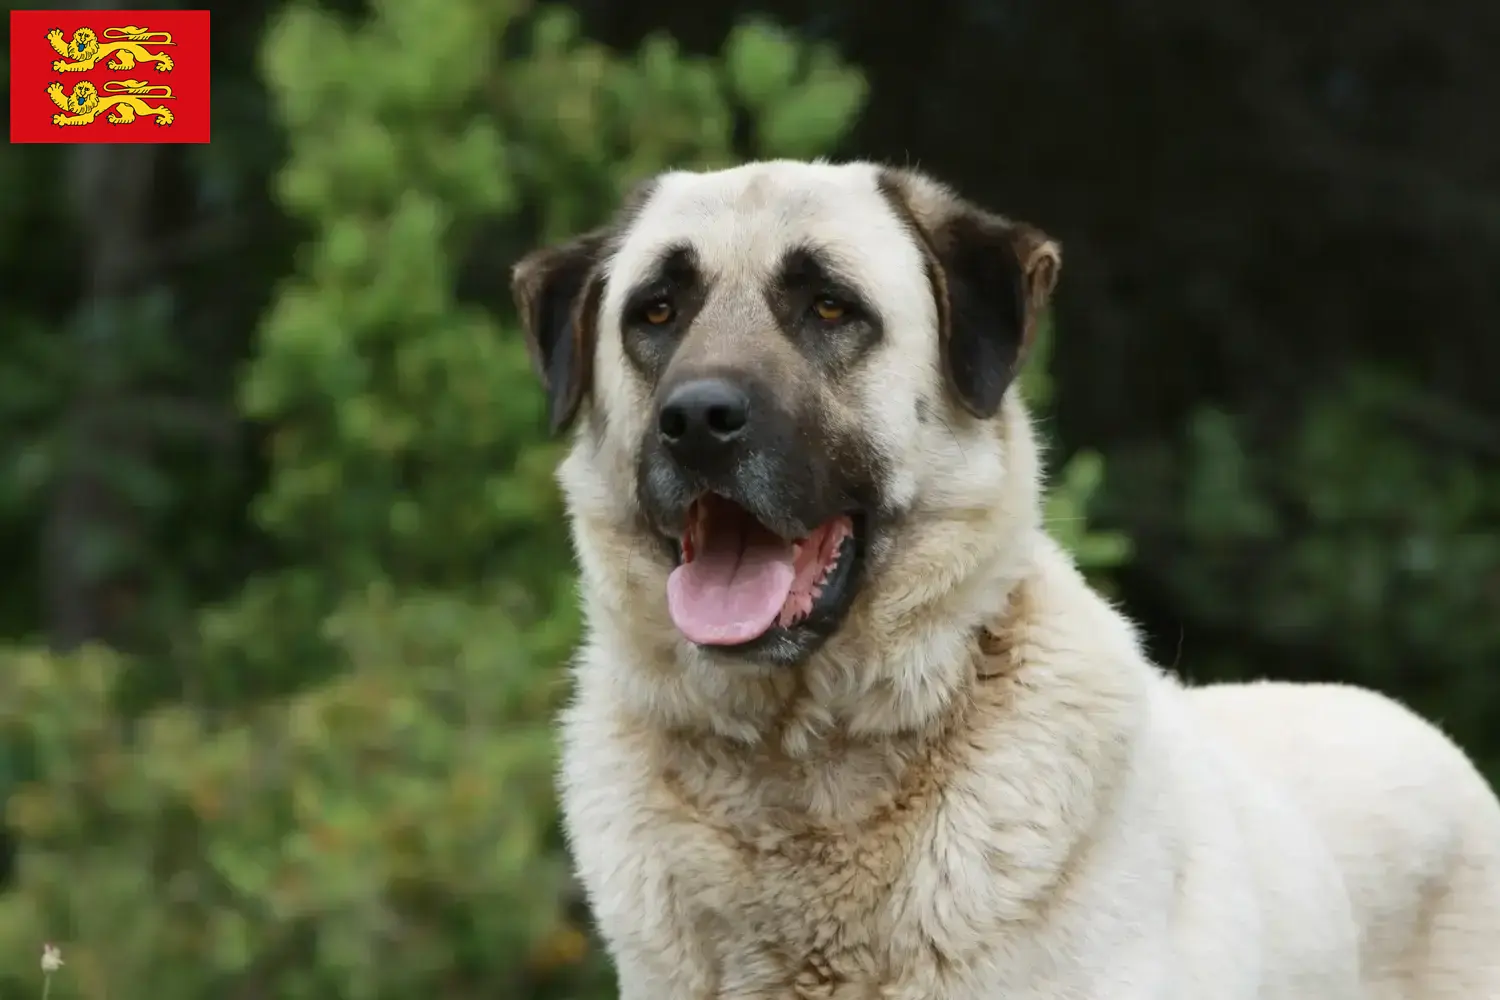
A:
734	588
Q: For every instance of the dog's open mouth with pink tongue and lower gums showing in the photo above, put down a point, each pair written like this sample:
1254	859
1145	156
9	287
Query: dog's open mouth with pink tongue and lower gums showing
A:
740	581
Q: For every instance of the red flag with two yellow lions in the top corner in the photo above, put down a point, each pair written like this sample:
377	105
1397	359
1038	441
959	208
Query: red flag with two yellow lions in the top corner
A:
110	77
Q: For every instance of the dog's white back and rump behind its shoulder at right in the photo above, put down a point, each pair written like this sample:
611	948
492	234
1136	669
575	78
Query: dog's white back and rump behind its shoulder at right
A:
1414	827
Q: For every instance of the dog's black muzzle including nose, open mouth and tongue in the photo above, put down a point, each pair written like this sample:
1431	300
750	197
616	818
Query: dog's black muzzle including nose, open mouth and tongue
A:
767	546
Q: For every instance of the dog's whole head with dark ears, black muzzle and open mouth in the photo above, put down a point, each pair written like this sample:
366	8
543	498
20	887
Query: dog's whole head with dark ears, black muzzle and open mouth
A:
793	380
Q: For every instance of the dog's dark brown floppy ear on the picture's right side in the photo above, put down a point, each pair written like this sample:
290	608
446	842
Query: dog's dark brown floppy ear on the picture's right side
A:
991	278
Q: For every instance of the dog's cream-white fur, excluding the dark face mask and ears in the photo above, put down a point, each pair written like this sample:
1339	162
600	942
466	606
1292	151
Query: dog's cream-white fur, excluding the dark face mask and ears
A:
917	816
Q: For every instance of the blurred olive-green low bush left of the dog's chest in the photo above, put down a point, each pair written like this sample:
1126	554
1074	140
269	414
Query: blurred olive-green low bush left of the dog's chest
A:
376	837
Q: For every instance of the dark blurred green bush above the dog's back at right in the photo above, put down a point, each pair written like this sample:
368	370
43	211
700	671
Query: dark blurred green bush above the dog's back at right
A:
1357	534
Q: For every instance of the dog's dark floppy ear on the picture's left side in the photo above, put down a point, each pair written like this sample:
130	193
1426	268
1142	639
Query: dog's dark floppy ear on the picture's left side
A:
557	295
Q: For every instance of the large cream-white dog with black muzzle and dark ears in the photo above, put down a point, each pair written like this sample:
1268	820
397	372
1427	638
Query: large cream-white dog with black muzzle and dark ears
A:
850	726
